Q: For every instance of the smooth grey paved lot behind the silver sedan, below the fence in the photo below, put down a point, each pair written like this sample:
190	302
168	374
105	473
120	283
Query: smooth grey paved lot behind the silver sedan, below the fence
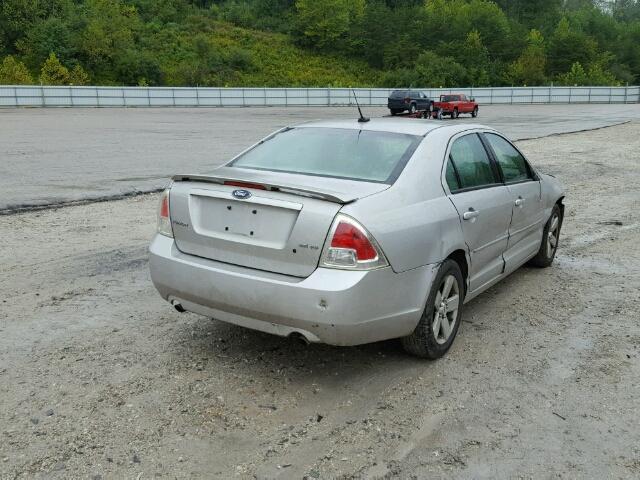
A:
64	154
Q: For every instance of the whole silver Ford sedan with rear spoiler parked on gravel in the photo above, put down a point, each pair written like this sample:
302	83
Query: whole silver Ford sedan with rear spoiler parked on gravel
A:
348	232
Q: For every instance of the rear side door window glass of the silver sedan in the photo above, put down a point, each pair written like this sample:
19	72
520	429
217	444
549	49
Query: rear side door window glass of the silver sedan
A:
469	166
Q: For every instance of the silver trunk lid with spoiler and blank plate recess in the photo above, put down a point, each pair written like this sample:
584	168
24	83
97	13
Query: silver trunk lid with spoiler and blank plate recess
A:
280	228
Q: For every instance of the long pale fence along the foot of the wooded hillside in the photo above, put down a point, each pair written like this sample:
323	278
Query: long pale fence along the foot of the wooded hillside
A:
44	96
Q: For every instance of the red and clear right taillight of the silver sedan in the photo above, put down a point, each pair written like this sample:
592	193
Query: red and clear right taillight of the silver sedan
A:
350	246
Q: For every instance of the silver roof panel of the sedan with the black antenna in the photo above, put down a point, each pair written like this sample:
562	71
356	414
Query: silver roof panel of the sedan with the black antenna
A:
409	126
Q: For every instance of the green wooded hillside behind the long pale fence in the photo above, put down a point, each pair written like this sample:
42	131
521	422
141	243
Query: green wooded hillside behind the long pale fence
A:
266	43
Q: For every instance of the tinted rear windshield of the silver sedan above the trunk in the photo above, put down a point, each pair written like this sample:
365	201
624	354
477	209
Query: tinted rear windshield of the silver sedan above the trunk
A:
333	152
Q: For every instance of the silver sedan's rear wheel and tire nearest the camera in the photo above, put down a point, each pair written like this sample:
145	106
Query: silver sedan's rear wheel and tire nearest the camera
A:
442	315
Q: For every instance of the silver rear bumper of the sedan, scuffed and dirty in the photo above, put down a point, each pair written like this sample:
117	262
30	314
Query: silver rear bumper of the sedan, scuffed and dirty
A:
330	306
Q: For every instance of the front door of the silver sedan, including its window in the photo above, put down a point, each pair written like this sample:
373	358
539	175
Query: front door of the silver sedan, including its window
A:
525	231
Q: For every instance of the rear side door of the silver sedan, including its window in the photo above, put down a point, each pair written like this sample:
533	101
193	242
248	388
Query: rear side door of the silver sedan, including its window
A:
484	205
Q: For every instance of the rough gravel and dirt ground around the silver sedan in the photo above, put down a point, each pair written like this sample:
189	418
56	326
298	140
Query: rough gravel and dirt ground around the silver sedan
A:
100	378
